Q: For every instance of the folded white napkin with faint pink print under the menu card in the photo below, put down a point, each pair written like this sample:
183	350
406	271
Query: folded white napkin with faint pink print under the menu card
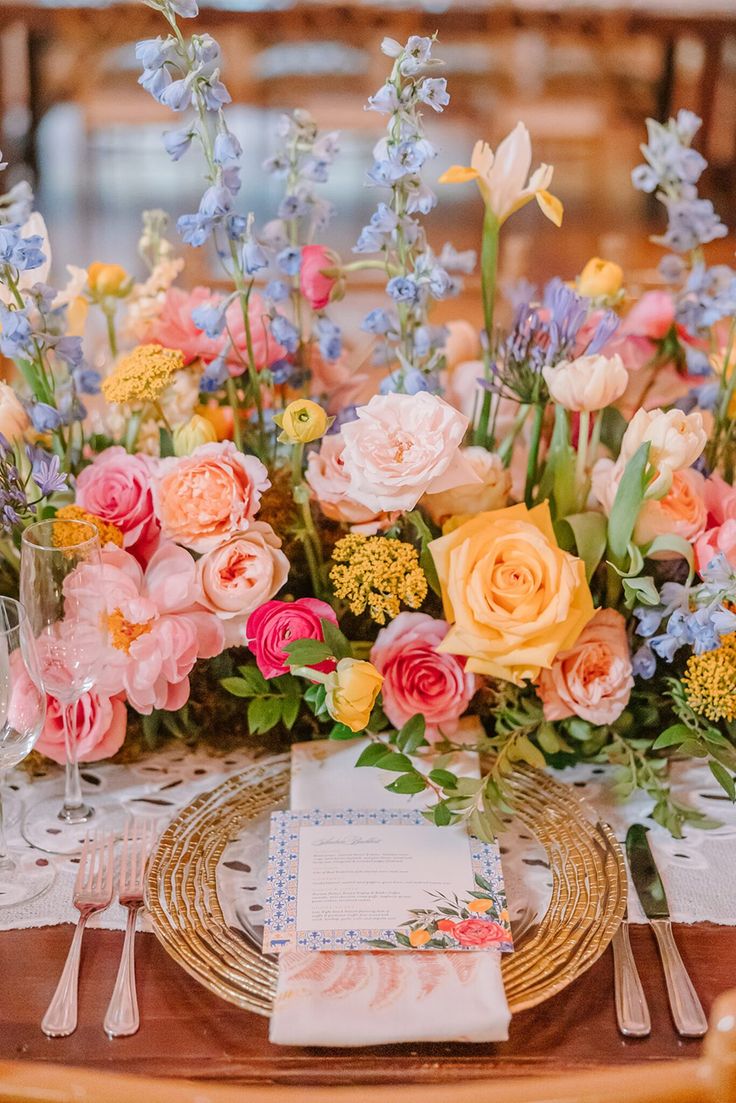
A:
375	998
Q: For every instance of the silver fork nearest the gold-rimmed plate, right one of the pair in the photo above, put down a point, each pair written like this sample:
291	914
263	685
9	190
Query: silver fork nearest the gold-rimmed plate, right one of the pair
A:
122	1018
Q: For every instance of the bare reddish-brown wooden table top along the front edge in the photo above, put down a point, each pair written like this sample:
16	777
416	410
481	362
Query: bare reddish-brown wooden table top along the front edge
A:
189	1033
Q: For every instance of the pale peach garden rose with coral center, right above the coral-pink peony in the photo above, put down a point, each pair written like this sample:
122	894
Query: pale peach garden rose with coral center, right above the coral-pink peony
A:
242	574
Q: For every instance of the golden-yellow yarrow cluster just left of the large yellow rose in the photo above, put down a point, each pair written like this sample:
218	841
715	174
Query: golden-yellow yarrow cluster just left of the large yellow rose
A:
378	574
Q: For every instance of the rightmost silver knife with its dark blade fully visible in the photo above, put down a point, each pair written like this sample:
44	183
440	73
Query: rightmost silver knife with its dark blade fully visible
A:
687	1011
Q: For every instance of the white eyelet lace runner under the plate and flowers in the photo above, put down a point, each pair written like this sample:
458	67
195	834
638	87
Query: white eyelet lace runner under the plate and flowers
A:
699	872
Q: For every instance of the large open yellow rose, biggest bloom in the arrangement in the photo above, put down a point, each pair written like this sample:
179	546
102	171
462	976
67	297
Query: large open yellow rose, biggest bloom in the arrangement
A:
514	598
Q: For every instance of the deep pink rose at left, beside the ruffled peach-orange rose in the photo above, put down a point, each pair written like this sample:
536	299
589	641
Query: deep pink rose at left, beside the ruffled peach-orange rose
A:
118	488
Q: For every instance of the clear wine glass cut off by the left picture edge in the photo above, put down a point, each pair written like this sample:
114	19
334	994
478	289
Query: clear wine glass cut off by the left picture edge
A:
23	714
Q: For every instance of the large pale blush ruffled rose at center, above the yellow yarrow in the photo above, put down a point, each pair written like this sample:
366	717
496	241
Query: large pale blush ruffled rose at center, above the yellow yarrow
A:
402	447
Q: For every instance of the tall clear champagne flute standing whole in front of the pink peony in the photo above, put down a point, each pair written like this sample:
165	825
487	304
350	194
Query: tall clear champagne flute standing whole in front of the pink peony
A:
65	596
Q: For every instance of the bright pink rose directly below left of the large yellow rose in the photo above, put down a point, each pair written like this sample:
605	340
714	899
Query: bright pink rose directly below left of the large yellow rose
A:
418	679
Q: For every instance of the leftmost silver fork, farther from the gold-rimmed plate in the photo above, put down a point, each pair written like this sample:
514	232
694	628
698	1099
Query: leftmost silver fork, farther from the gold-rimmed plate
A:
93	893
